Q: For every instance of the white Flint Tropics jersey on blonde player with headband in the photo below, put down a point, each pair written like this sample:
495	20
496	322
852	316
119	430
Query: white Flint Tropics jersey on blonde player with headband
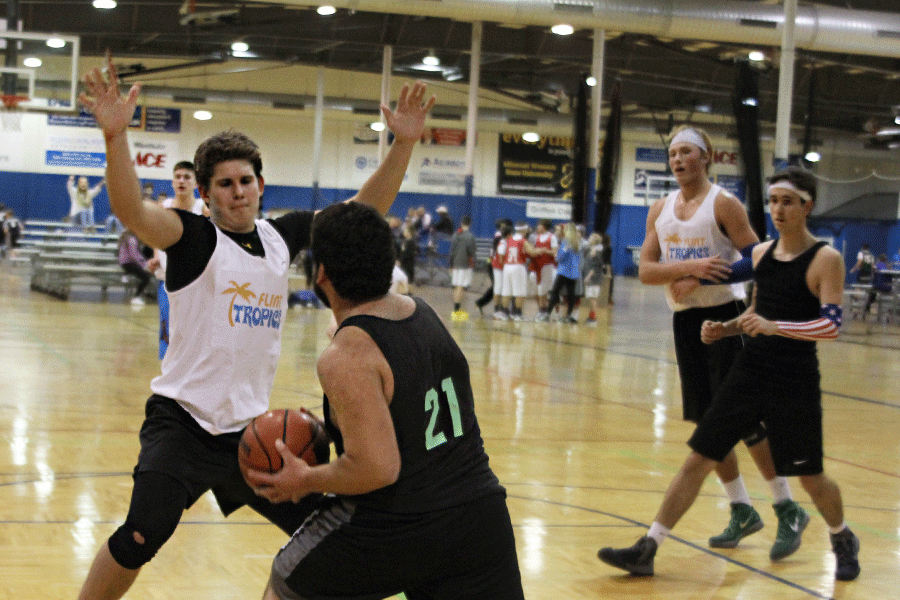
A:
698	237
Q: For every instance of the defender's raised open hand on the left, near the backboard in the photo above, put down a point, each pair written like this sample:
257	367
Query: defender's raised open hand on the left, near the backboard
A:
103	99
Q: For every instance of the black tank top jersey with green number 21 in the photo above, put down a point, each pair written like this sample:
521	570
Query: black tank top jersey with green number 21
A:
443	461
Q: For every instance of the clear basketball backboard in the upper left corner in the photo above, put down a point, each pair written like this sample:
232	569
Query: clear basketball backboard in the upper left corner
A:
41	66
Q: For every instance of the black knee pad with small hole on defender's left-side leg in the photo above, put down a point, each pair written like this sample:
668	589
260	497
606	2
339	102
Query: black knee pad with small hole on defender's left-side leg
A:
157	503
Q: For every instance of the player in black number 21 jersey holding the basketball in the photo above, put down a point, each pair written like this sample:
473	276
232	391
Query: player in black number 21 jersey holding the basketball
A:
412	504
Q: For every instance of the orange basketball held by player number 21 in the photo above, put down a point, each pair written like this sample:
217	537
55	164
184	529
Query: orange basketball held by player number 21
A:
301	431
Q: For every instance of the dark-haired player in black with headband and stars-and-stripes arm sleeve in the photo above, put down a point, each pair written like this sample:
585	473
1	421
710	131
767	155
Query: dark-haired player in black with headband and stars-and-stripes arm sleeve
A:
799	287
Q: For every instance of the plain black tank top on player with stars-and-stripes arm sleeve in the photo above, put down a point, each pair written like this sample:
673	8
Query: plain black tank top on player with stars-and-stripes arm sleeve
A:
783	295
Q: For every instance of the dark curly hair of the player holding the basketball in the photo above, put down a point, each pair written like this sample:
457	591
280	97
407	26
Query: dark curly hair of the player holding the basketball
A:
354	245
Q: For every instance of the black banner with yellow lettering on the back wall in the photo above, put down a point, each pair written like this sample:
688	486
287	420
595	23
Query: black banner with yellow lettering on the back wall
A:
542	168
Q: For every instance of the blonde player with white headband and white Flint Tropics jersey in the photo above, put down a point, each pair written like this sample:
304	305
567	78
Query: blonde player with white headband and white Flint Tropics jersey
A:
692	248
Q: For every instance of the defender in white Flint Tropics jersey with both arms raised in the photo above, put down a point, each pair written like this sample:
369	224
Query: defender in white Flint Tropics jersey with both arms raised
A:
227	280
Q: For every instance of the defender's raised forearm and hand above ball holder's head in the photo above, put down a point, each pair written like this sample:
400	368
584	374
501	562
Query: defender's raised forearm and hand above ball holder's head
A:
407	122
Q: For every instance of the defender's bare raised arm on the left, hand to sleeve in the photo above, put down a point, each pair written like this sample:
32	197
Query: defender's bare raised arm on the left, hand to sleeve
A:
154	225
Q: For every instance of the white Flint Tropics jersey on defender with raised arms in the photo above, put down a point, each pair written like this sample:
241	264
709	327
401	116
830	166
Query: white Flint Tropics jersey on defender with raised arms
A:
225	334
